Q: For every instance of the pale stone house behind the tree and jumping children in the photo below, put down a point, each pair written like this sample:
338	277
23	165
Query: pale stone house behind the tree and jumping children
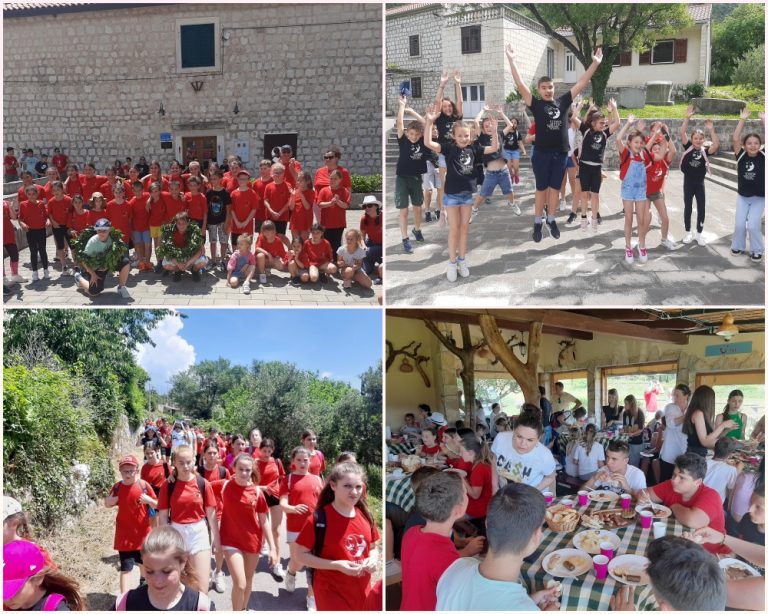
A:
473	41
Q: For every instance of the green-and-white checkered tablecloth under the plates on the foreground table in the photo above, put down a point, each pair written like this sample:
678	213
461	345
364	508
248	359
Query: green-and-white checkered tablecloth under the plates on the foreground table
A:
586	592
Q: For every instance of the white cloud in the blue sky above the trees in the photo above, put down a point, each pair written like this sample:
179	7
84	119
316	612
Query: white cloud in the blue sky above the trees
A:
170	355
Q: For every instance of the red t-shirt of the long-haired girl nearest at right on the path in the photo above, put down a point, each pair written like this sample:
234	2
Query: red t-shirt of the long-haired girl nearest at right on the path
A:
349	539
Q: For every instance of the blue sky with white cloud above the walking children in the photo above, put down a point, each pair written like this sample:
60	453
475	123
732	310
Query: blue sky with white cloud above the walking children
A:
337	343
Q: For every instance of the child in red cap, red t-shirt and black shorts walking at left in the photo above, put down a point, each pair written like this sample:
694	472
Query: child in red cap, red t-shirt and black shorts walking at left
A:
133	498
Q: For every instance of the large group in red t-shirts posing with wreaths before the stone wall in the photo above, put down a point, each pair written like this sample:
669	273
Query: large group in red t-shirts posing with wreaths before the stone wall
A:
229	207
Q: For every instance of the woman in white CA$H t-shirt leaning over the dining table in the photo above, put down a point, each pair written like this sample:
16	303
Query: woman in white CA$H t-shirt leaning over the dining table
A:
519	457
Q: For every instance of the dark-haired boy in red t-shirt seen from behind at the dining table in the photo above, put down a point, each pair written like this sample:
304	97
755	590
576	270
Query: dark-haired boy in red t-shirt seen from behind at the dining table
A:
427	551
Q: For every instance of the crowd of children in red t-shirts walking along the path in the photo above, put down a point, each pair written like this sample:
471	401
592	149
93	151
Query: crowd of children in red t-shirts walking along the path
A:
226	494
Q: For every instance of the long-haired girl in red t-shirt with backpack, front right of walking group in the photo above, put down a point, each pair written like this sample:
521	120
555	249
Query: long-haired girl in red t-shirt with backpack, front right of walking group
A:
343	567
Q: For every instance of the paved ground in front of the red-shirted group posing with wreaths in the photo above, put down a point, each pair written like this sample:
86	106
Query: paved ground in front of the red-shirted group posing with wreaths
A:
151	289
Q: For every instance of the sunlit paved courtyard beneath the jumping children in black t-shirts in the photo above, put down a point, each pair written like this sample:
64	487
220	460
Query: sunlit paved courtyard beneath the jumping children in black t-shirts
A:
581	268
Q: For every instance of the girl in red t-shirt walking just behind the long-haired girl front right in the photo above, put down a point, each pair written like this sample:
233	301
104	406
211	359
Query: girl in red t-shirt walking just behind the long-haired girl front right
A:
299	493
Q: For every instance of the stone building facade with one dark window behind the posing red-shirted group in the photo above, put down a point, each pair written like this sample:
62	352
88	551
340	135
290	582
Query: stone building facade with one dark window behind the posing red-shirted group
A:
194	80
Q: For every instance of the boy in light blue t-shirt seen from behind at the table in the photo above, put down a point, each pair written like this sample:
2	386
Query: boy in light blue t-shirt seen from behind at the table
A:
514	530
